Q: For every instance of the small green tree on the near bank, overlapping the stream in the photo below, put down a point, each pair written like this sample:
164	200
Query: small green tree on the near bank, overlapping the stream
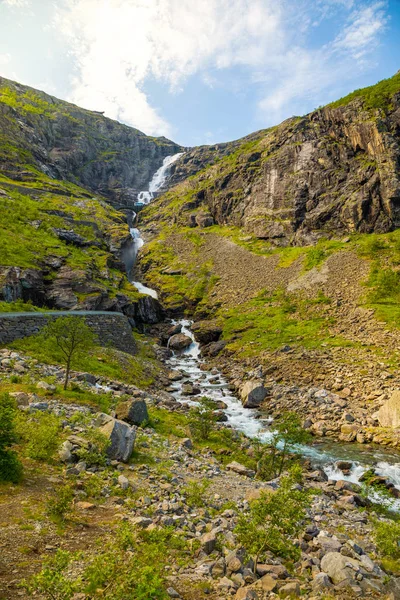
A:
273	457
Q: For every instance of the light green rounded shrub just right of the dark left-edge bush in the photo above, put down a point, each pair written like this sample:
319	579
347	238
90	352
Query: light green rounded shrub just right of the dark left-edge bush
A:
40	434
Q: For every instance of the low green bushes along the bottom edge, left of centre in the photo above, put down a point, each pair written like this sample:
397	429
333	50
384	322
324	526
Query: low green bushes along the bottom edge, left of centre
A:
129	567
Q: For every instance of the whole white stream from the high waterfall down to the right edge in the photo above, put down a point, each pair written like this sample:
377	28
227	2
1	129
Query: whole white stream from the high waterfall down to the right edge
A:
253	422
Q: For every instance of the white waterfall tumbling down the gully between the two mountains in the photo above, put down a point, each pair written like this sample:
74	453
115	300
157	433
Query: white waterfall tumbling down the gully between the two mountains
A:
145	197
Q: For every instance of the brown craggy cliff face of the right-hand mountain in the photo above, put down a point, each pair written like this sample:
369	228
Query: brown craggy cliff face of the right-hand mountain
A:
326	174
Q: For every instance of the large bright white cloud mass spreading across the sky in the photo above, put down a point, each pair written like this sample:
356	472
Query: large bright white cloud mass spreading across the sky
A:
120	46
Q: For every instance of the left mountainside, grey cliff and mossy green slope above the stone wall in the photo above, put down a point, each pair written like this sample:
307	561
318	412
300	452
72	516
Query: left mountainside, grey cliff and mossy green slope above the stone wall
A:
61	170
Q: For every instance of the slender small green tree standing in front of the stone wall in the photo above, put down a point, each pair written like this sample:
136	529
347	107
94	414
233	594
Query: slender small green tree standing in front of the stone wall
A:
71	337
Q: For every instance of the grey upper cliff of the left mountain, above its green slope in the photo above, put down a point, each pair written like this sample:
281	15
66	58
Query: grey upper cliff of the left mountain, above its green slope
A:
69	143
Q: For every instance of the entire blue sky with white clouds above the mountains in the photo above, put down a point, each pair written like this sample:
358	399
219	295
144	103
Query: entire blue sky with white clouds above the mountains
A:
201	71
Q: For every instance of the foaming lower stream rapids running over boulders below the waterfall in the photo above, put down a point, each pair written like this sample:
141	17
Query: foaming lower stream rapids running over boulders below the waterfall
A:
256	425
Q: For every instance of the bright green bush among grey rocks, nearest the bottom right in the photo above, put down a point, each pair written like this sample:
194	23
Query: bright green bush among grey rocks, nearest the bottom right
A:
274	519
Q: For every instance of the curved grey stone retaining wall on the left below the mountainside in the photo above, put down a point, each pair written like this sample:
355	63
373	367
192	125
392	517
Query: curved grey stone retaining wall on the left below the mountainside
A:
112	329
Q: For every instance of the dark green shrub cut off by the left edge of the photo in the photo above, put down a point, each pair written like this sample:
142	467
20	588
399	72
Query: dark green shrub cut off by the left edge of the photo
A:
10	466
